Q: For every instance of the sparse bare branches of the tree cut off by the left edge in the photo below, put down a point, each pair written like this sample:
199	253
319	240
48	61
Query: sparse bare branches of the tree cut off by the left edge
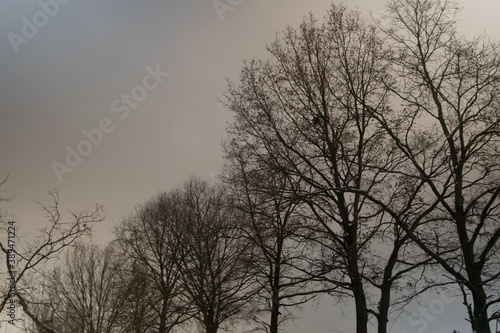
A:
32	257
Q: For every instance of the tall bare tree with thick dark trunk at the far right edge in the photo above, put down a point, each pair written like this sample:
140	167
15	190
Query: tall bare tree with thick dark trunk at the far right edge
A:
447	128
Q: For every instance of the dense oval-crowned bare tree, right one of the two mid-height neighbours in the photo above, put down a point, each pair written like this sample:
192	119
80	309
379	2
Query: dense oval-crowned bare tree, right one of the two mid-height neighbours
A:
216	276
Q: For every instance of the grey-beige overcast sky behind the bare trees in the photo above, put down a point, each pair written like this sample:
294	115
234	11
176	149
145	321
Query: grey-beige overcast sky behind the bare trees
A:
66	75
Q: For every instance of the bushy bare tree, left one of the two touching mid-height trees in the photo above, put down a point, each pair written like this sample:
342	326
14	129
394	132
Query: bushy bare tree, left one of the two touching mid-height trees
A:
150	237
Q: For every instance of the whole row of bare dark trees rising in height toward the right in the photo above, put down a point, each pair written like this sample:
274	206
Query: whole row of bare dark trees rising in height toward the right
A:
362	163
